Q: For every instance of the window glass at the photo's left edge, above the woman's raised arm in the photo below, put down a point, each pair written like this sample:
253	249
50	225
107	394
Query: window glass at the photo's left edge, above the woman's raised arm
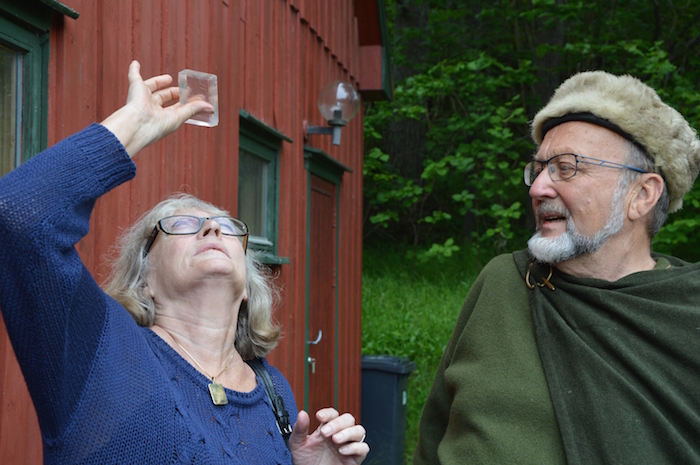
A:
10	109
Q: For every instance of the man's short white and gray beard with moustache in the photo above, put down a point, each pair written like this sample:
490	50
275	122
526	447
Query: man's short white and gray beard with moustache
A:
571	243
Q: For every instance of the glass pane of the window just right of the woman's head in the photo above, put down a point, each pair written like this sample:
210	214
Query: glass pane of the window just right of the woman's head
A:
252	192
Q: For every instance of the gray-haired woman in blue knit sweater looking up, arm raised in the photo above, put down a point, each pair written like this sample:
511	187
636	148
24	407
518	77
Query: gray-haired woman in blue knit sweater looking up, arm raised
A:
168	381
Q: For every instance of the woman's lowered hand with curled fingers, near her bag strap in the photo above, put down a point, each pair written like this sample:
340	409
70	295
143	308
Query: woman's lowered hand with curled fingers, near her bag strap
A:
338	440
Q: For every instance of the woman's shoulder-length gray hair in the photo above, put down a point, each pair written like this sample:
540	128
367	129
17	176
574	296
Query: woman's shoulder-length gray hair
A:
256	333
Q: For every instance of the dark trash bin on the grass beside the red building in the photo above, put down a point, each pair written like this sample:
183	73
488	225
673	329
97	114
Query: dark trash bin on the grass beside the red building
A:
384	383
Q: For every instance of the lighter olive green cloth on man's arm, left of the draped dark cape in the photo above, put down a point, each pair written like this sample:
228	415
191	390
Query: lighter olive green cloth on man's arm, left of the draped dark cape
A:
489	403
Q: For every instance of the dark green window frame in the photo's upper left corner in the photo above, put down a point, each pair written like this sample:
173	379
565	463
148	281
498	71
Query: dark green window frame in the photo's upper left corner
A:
24	29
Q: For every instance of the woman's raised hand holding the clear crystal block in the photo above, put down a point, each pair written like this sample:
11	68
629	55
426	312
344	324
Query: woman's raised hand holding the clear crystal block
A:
145	118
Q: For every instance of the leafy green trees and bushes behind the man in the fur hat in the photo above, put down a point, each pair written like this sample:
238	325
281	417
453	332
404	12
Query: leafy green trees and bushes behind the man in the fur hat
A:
487	68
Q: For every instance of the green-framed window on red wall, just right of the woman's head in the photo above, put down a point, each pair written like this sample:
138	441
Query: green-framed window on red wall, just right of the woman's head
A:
258	192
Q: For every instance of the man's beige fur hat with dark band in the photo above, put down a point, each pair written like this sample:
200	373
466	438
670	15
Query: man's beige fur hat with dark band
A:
634	110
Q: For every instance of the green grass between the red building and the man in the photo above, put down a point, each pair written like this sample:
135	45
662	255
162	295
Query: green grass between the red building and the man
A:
409	310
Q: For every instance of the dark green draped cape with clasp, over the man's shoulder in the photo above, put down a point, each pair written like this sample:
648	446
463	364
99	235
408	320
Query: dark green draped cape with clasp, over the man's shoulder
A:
622	361
